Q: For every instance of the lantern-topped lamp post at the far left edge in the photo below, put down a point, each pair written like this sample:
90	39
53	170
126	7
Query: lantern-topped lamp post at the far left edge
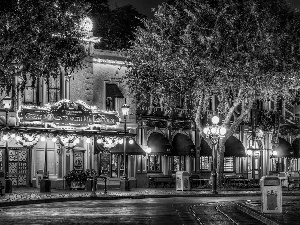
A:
8	183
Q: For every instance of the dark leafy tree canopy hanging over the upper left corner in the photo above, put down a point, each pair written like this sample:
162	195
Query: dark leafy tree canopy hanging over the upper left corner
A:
40	39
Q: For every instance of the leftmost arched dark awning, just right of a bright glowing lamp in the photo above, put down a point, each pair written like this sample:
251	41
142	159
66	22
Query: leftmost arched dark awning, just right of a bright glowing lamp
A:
159	144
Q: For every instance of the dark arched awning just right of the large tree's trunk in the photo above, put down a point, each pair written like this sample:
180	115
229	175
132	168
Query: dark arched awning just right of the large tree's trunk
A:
234	147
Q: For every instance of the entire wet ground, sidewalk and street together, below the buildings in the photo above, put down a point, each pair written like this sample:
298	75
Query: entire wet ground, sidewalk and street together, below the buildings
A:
198	206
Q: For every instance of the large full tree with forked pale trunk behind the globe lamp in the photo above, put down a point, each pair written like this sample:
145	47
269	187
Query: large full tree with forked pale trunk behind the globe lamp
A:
238	51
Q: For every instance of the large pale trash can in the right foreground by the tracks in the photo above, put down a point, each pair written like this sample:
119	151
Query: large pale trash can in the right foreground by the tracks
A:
271	194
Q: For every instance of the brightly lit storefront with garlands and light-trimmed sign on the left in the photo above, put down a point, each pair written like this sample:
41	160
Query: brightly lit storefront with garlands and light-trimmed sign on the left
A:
63	136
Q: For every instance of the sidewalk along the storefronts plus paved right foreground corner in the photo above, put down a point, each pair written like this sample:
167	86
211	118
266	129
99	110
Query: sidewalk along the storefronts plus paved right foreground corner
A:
289	215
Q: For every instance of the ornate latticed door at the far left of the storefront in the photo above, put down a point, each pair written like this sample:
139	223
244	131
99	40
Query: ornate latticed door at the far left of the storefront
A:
18	166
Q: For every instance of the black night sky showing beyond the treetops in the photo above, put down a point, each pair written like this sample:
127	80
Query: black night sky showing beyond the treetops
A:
144	6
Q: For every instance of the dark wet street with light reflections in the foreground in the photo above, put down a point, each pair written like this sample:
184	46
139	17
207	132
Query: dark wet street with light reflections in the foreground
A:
177	210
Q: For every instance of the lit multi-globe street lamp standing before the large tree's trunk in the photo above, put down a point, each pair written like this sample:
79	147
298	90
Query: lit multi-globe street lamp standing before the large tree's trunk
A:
214	133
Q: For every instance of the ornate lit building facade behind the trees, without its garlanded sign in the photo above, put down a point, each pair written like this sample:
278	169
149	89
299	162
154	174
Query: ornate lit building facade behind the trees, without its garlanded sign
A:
163	144
